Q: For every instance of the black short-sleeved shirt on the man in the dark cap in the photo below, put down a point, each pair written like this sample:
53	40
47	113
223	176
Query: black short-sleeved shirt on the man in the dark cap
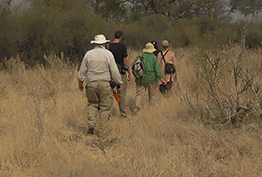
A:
119	51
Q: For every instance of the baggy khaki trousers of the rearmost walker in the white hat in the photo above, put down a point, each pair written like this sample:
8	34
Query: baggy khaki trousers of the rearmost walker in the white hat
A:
100	102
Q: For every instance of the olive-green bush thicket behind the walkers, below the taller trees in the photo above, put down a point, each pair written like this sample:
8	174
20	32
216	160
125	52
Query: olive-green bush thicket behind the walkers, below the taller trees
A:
59	26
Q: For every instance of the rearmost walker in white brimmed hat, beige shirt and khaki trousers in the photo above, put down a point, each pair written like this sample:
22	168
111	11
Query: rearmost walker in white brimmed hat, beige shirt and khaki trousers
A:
98	67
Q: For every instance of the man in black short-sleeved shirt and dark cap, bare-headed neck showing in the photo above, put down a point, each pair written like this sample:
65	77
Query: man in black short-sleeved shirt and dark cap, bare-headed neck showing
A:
120	54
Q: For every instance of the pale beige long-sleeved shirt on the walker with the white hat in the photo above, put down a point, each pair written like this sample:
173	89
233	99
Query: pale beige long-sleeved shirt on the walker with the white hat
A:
99	64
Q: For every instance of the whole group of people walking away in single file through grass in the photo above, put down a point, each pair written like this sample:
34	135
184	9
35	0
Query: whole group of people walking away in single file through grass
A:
107	63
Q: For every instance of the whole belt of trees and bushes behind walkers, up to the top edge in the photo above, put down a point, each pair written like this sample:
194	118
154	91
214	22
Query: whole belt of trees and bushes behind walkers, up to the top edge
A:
46	26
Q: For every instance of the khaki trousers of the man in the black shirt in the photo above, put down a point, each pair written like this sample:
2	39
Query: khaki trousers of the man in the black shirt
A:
122	96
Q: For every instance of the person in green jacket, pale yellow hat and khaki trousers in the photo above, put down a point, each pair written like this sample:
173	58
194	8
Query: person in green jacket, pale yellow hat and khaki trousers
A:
149	81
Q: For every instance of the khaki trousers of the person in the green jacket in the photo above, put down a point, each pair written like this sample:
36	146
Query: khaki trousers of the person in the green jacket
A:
141	91
